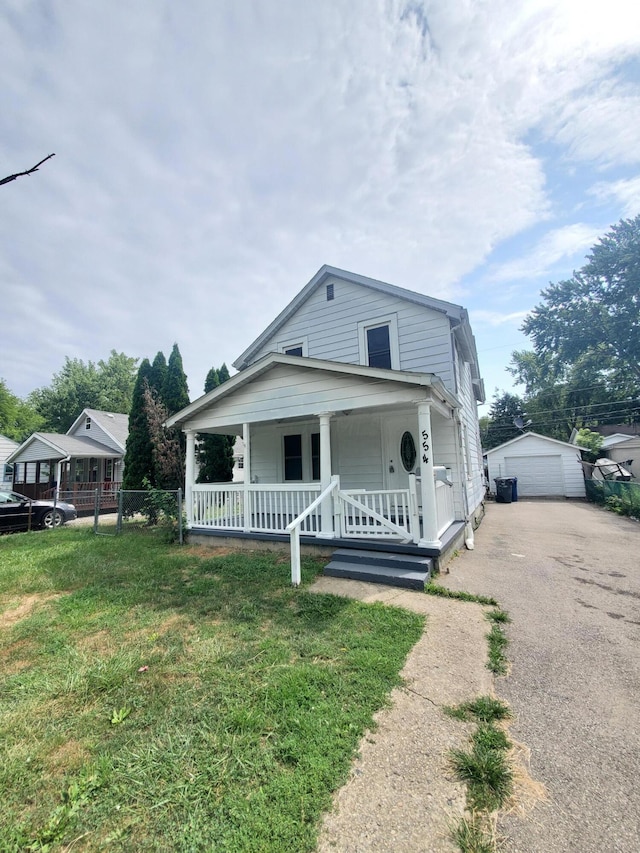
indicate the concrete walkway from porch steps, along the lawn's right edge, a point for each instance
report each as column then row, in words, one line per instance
column 401, row 795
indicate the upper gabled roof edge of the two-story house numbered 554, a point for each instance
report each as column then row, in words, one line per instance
column 455, row 312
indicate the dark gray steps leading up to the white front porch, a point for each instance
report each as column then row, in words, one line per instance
column 403, row 570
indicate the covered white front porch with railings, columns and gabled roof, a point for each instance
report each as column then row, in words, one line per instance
column 333, row 452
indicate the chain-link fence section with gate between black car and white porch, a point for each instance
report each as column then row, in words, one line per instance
column 156, row 510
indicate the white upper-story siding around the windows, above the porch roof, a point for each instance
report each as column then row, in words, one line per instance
column 331, row 328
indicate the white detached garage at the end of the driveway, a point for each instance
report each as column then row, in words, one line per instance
column 545, row 467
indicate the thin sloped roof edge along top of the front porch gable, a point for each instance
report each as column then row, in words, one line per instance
column 271, row 360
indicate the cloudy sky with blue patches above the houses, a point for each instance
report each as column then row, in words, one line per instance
column 211, row 156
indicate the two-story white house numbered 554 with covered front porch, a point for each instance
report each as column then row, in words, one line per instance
column 359, row 392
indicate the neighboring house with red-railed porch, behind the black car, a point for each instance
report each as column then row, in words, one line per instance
column 87, row 457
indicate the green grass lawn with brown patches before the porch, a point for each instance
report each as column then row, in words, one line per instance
column 163, row 698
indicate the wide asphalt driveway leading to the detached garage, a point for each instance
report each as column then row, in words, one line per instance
column 569, row 575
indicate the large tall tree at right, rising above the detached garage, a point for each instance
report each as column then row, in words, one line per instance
column 597, row 311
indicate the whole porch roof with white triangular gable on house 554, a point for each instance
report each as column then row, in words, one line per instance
column 288, row 387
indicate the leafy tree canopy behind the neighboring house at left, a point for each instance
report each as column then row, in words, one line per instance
column 107, row 385
